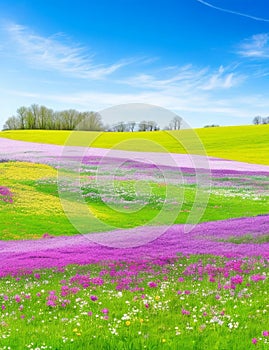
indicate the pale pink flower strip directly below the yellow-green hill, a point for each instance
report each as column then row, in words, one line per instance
column 48, row 154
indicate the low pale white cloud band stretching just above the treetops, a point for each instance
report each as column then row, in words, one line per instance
column 193, row 104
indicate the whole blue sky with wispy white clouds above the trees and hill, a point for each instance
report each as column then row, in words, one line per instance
column 204, row 60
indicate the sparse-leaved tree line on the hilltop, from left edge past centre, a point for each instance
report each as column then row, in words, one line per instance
column 41, row 117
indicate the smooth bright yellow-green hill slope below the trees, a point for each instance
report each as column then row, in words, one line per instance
column 242, row 143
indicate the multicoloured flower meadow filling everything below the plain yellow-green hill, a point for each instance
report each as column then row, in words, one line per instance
column 124, row 250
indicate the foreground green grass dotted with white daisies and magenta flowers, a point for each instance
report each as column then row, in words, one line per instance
column 195, row 312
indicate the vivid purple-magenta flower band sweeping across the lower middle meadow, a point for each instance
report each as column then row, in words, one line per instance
column 27, row 255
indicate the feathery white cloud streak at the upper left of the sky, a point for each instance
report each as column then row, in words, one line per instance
column 52, row 53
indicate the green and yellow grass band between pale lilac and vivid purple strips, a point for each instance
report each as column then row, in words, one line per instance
column 37, row 208
